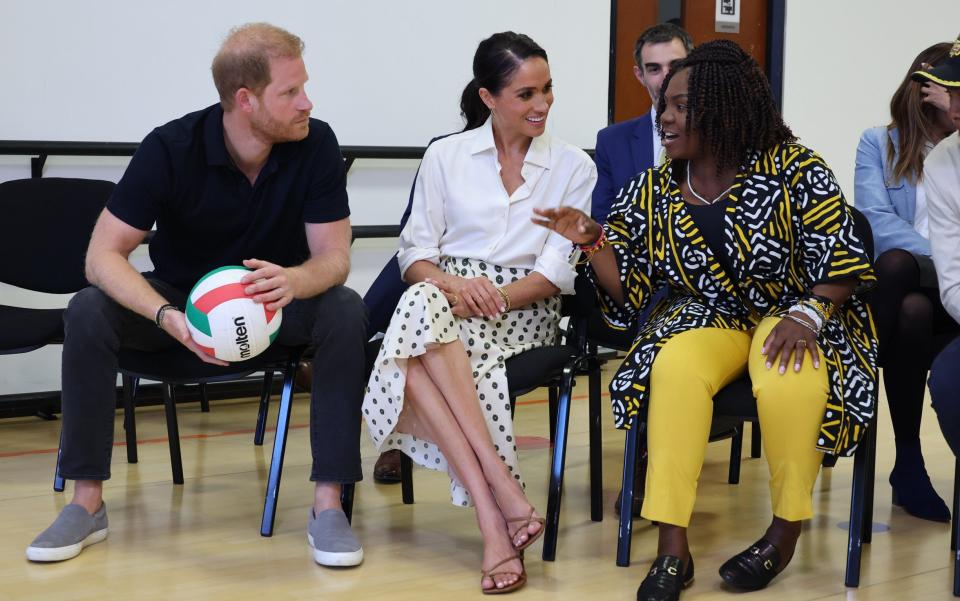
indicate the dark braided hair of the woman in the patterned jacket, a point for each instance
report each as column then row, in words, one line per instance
column 729, row 103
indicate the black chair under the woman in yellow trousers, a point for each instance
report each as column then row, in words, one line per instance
column 735, row 404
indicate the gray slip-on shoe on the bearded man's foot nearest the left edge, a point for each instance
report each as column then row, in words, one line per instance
column 73, row 530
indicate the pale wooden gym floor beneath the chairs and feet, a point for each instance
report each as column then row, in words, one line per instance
column 201, row 540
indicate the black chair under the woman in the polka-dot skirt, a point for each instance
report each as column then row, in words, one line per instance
column 553, row 367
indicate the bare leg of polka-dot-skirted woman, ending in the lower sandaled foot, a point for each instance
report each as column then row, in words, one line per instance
column 428, row 415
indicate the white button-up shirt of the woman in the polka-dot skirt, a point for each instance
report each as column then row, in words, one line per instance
column 461, row 208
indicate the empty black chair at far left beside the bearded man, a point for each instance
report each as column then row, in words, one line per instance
column 44, row 231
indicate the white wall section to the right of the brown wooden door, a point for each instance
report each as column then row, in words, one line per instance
column 843, row 61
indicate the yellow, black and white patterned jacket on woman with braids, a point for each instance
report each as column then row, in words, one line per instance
column 788, row 227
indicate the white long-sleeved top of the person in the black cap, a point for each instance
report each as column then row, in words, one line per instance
column 941, row 177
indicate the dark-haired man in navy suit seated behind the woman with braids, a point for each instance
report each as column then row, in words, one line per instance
column 630, row 147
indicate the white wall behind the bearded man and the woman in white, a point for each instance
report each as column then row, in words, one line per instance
column 383, row 72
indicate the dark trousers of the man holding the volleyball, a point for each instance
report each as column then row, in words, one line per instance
column 97, row 327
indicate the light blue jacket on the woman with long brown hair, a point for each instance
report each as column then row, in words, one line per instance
column 888, row 203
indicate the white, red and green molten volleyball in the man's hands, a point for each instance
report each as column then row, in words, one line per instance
column 224, row 321
